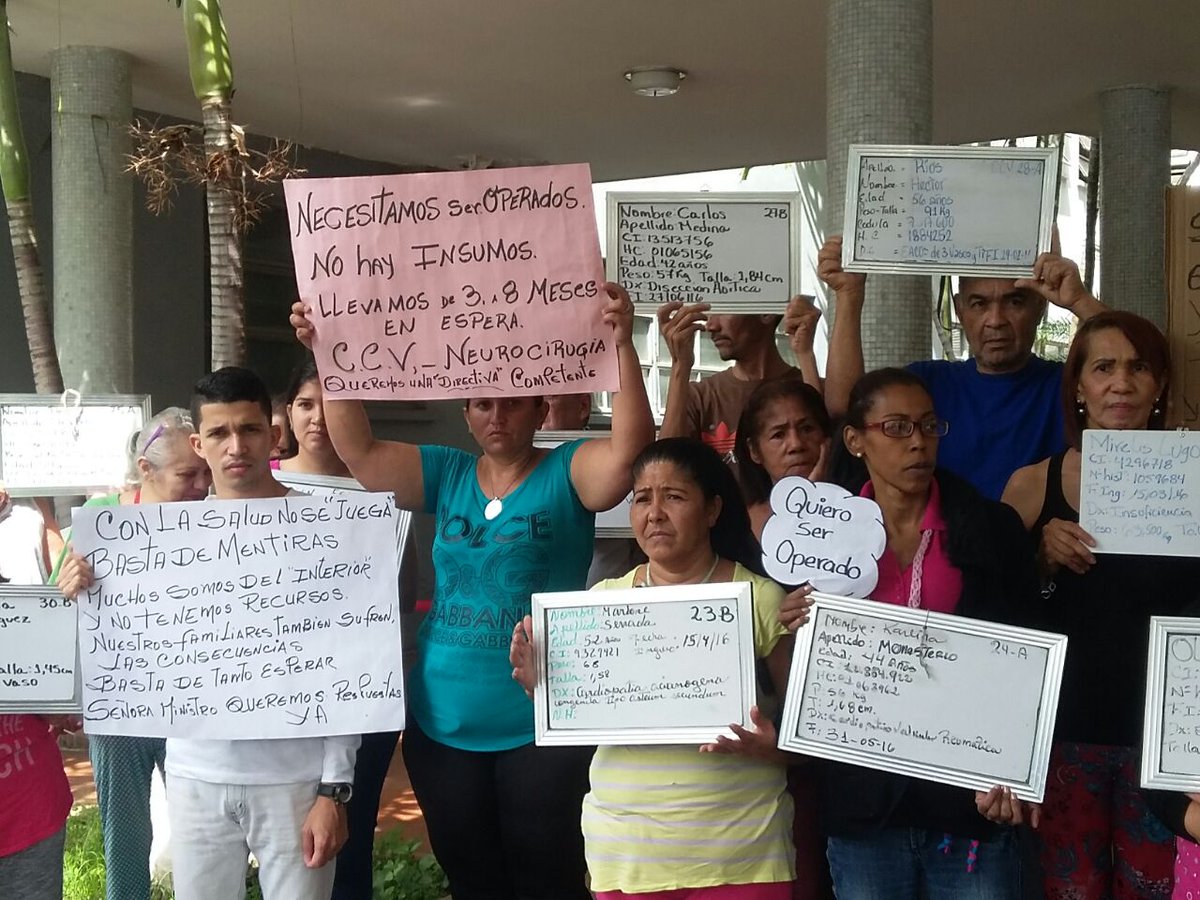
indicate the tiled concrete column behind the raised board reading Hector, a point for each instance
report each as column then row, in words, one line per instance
column 880, row 91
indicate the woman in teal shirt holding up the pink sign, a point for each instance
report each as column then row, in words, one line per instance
column 503, row 815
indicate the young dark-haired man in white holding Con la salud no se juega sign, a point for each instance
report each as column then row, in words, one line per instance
column 284, row 800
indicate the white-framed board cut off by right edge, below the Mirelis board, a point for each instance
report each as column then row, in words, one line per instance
column 1171, row 748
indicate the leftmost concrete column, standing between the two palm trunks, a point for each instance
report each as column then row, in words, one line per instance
column 92, row 107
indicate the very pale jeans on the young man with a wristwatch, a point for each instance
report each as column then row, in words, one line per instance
column 214, row 827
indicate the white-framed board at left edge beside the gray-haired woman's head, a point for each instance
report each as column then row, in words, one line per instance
column 53, row 447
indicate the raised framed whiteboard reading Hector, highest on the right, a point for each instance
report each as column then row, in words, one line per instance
column 949, row 211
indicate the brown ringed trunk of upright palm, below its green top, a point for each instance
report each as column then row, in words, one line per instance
column 225, row 247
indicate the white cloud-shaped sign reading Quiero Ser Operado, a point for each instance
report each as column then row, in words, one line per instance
column 825, row 536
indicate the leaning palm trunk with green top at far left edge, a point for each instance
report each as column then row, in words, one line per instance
column 15, row 179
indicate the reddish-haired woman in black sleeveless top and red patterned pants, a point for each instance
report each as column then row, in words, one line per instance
column 1099, row 838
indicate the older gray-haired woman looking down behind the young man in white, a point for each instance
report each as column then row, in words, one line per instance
column 164, row 469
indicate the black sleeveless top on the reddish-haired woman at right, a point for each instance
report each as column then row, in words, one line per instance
column 1106, row 615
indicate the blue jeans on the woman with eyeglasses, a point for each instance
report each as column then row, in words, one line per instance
column 917, row 865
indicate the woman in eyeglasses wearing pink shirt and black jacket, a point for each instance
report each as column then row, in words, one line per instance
column 950, row 550
